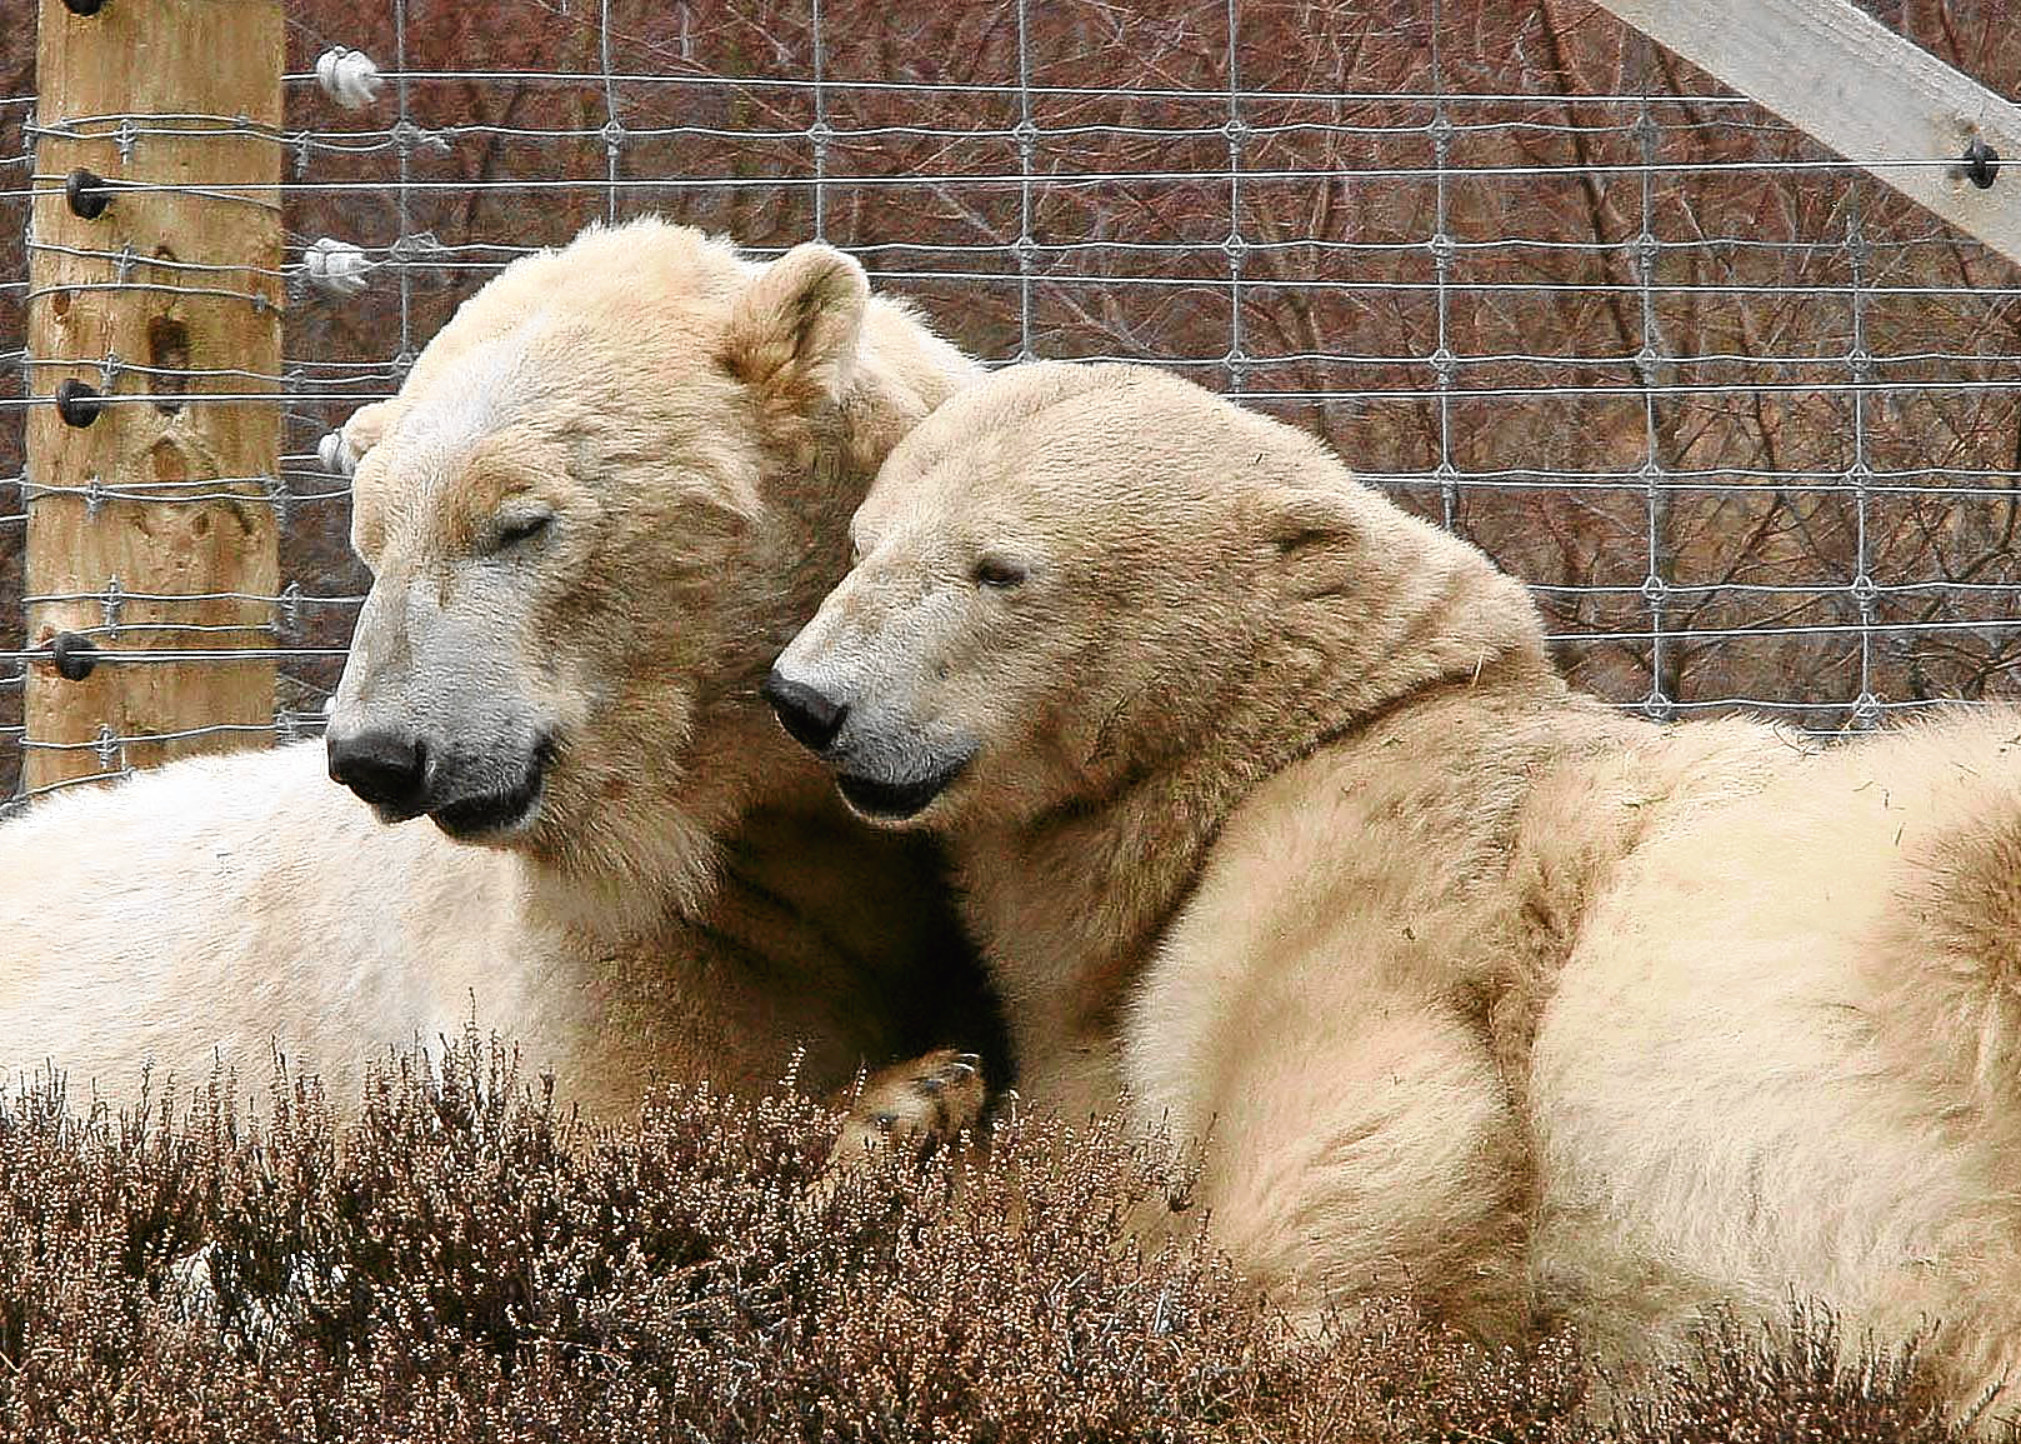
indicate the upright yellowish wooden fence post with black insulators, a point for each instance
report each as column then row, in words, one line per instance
column 163, row 60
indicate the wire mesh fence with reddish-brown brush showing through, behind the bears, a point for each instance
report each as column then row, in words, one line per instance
column 1743, row 420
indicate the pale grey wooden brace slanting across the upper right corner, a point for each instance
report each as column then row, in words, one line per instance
column 1860, row 90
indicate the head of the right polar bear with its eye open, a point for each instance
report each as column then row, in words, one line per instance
column 1076, row 577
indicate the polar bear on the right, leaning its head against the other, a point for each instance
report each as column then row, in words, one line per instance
column 1276, row 824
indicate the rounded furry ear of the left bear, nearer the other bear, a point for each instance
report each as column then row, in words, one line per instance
column 795, row 329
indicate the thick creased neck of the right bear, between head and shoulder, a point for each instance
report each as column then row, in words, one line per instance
column 1070, row 907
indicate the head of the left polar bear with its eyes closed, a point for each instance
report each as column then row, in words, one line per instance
column 609, row 490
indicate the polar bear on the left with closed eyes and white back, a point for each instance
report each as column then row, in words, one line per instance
column 607, row 494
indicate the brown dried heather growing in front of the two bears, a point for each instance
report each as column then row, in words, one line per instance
column 474, row 1263
